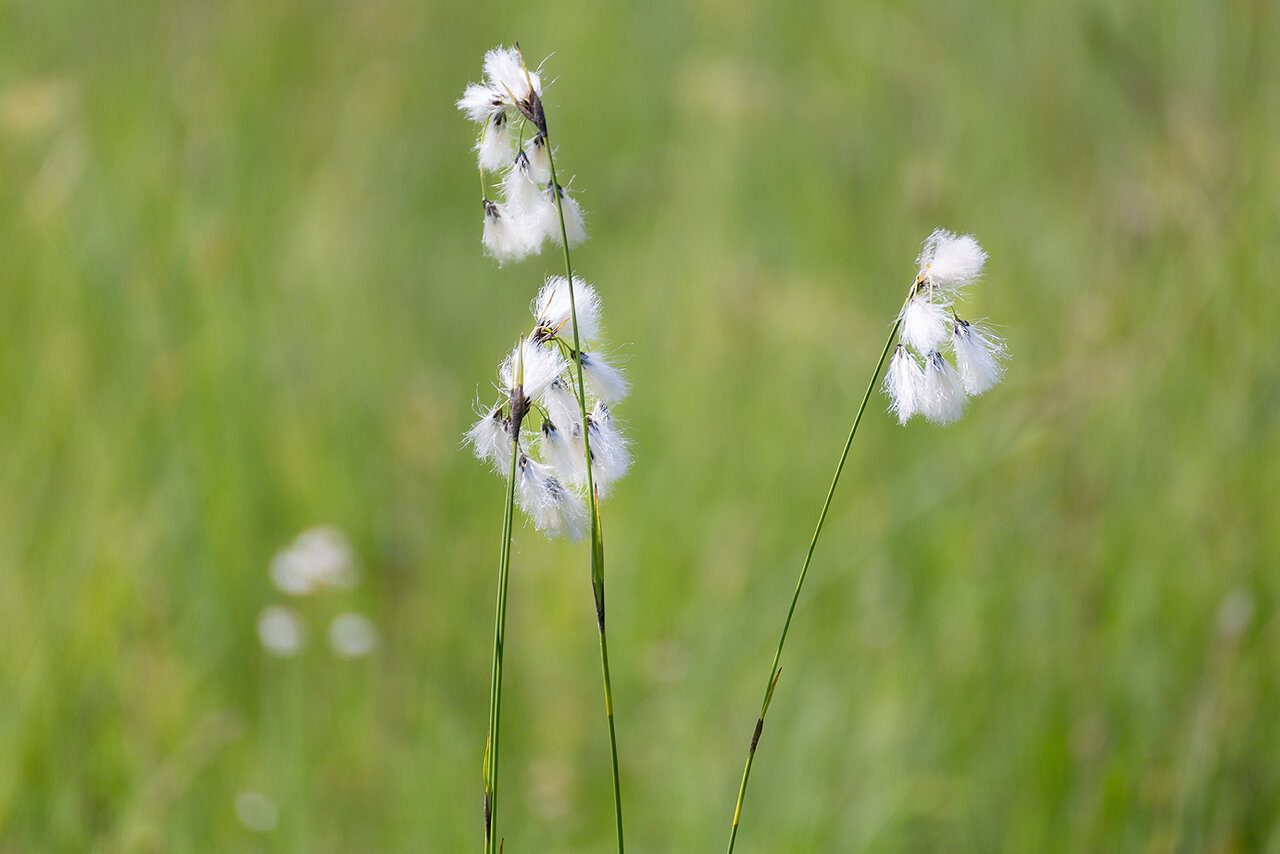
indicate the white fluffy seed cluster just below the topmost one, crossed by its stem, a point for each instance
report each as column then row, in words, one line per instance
column 551, row 486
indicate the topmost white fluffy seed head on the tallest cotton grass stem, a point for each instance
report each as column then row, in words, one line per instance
column 508, row 106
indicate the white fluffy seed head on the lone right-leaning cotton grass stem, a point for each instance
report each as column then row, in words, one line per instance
column 929, row 323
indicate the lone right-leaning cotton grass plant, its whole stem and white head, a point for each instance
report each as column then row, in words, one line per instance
column 921, row 381
